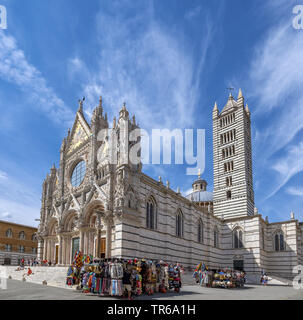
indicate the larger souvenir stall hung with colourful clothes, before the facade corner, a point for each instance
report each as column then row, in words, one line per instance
column 122, row 277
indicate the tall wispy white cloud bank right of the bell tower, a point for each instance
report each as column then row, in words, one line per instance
column 275, row 81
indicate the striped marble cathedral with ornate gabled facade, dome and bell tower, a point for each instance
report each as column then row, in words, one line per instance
column 113, row 210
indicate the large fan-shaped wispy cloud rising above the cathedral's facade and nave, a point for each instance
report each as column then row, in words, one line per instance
column 152, row 70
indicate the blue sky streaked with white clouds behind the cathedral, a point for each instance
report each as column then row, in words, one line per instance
column 170, row 61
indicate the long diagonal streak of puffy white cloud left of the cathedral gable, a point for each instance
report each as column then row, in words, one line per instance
column 15, row 68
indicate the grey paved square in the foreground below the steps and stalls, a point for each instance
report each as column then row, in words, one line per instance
column 18, row 290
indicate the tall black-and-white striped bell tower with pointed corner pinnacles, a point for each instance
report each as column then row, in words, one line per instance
column 233, row 183
